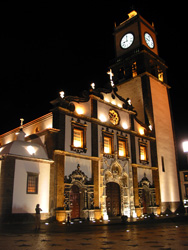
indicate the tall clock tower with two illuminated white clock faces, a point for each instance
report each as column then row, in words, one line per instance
column 140, row 74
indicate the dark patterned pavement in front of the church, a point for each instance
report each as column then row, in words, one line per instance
column 53, row 237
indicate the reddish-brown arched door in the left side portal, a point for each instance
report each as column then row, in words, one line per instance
column 75, row 202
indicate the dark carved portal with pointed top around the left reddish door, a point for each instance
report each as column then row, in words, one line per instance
column 79, row 195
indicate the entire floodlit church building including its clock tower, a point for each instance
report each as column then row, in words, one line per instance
column 108, row 153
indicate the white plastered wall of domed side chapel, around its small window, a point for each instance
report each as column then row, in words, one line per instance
column 26, row 203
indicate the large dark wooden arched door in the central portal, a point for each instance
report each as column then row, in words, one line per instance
column 113, row 202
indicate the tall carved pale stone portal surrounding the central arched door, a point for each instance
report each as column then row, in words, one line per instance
column 117, row 190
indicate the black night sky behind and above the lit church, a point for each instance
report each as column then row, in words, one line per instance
column 46, row 47
